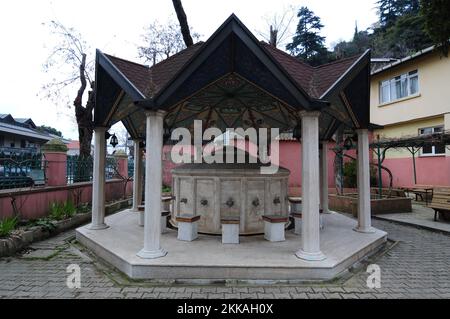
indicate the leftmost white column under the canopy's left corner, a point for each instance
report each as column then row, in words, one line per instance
column 98, row 180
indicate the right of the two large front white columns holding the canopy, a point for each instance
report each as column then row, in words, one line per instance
column 310, row 249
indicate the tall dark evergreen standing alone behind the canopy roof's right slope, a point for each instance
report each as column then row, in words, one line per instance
column 307, row 43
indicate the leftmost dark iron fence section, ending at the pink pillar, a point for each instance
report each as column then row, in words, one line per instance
column 21, row 170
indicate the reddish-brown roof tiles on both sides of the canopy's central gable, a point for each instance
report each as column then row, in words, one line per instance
column 313, row 80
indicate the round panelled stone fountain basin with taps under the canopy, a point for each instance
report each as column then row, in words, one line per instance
column 216, row 191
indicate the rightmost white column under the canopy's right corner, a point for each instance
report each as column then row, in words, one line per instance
column 363, row 172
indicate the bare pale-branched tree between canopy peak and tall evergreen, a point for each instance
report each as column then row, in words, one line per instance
column 279, row 26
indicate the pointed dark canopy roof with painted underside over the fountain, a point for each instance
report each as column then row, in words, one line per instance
column 217, row 80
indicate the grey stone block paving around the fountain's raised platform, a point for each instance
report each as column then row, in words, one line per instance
column 415, row 266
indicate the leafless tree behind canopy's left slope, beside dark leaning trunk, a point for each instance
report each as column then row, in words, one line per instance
column 162, row 41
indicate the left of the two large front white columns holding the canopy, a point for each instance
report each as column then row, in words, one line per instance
column 153, row 186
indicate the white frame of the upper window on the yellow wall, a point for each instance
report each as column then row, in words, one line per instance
column 391, row 85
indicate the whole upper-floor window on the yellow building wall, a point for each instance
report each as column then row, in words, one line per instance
column 399, row 87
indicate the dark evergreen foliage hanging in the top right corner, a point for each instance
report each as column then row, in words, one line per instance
column 436, row 14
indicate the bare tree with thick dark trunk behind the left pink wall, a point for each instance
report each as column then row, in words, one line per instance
column 68, row 60
